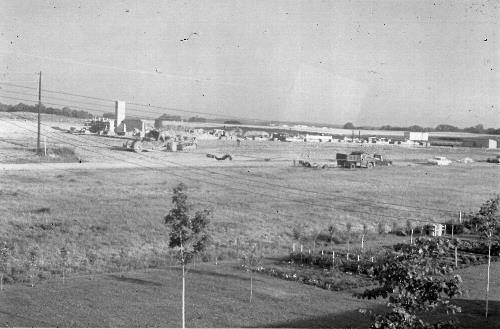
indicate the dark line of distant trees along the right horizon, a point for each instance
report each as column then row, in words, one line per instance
column 477, row 129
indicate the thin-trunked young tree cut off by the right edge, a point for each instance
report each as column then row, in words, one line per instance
column 487, row 220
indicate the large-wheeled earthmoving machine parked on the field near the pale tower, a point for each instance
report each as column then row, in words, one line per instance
column 156, row 140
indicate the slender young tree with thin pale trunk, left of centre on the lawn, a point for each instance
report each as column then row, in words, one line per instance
column 188, row 234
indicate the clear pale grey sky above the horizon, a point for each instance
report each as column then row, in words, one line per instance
column 366, row 62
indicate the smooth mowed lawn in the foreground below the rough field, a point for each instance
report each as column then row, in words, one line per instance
column 216, row 297
